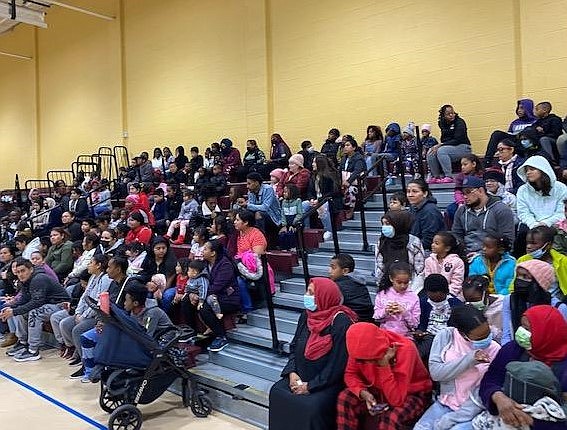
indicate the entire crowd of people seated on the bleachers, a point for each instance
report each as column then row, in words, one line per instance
column 469, row 303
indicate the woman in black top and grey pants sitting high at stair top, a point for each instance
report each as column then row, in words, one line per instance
column 454, row 145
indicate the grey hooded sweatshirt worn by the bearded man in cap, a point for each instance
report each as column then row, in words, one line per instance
column 472, row 226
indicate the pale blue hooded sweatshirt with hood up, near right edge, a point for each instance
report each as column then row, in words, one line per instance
column 533, row 206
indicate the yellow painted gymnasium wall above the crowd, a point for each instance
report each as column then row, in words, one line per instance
column 191, row 72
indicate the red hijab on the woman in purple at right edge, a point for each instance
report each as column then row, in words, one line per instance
column 549, row 334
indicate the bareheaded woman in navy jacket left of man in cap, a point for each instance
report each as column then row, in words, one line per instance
column 427, row 217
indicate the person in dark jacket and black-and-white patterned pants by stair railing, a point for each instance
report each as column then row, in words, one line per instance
column 352, row 165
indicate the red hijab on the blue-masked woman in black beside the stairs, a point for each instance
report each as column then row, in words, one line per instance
column 328, row 299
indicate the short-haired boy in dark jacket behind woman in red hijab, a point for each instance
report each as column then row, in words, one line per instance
column 353, row 287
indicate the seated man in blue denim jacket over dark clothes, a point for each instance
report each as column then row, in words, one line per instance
column 263, row 202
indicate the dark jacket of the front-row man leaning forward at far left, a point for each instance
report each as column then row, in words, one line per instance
column 39, row 290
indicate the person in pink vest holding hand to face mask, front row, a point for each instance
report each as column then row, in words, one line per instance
column 459, row 358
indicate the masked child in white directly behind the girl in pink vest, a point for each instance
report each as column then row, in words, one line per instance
column 475, row 290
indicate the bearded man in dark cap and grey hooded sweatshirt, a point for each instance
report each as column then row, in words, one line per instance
column 481, row 214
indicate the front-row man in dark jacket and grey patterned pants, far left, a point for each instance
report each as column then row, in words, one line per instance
column 40, row 297
